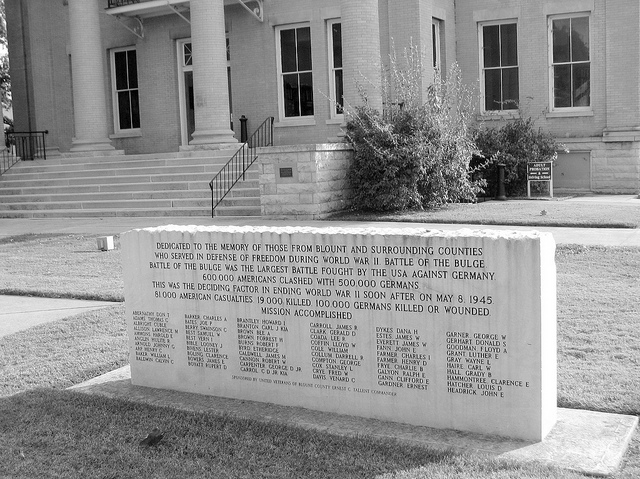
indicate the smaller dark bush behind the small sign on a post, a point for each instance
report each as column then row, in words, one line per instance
column 514, row 144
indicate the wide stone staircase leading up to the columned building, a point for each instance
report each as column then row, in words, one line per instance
column 169, row 184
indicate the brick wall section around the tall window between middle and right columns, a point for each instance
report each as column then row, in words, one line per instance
column 254, row 67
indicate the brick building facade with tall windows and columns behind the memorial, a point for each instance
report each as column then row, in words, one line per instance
column 154, row 76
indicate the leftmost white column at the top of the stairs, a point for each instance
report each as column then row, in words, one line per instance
column 87, row 67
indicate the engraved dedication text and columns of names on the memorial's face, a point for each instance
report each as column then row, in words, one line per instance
column 364, row 314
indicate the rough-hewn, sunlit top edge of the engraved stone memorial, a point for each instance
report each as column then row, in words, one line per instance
column 353, row 230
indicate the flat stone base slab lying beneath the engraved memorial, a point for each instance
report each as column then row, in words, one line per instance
column 589, row 442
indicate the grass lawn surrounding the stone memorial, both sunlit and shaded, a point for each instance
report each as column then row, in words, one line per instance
column 47, row 431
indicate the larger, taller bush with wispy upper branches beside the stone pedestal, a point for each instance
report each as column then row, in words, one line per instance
column 416, row 153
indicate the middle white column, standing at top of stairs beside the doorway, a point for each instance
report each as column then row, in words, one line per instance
column 210, row 82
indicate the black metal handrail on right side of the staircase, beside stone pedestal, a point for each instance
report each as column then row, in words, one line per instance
column 239, row 163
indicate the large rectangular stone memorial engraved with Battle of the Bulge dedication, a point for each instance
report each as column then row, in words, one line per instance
column 450, row 330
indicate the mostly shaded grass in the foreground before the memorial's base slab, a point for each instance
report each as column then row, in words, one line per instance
column 49, row 433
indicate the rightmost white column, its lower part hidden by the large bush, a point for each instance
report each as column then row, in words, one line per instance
column 361, row 52
